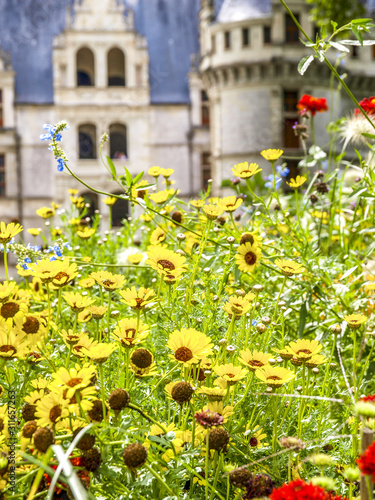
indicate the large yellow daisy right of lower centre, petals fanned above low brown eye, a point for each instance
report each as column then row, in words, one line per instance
column 189, row 346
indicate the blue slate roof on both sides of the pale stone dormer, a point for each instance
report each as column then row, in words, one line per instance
column 27, row 28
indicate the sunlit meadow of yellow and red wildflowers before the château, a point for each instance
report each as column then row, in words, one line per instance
column 213, row 348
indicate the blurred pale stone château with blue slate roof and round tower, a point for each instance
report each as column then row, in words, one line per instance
column 193, row 85
